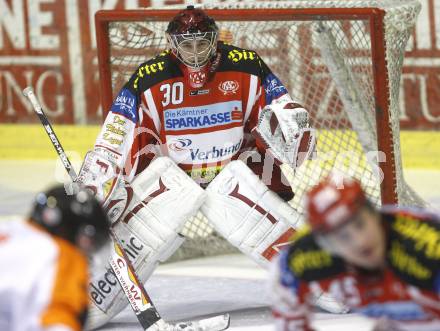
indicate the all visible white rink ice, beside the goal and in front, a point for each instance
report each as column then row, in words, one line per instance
column 201, row 287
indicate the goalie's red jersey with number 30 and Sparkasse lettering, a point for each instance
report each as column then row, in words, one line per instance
column 157, row 112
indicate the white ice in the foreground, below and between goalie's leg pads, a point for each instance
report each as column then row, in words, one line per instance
column 191, row 290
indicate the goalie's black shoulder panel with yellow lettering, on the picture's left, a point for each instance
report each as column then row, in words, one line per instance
column 154, row 71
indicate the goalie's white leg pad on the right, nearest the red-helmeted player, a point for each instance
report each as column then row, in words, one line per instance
column 250, row 216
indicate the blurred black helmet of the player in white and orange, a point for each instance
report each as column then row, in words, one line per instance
column 77, row 218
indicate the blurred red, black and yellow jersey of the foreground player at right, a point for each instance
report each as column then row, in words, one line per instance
column 407, row 291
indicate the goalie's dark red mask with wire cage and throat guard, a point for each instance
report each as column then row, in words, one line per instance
column 192, row 36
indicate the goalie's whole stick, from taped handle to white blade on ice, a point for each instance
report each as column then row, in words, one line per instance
column 137, row 296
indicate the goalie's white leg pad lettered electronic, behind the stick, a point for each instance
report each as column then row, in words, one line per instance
column 163, row 199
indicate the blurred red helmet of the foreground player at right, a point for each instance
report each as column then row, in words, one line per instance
column 332, row 203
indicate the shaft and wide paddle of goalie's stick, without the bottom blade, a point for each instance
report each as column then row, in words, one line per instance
column 130, row 284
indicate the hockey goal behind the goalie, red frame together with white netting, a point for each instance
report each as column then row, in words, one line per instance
column 341, row 59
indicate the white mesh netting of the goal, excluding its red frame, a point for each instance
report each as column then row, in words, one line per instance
column 326, row 64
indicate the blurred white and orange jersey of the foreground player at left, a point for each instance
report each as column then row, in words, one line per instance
column 43, row 281
